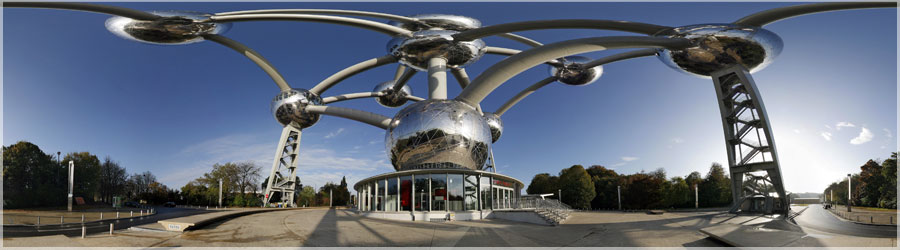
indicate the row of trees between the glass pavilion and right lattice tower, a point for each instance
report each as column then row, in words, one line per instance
column 597, row 187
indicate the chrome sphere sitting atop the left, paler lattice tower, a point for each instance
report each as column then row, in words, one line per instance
column 289, row 107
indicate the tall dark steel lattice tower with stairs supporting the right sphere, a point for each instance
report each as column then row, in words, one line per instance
column 749, row 143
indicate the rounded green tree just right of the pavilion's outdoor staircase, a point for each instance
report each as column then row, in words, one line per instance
column 577, row 188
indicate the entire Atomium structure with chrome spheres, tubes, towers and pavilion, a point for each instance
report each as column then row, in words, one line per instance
column 441, row 146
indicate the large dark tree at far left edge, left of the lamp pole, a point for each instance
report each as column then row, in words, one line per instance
column 30, row 177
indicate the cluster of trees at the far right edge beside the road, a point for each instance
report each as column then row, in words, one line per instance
column 874, row 186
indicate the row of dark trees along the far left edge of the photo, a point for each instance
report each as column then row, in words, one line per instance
column 32, row 178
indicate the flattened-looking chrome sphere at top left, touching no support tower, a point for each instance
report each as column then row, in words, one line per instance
column 176, row 27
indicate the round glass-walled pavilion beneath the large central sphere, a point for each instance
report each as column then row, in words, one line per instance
column 438, row 192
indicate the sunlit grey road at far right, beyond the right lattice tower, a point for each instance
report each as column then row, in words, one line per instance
column 816, row 217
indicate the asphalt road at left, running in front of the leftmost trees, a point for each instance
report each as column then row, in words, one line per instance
column 162, row 213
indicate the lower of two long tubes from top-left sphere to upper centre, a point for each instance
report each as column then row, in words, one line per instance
column 355, row 22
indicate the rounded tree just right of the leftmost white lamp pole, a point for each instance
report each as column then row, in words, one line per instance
column 87, row 174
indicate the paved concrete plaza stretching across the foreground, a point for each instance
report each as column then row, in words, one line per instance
column 336, row 227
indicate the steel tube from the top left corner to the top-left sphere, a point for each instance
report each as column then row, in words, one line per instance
column 97, row 8
